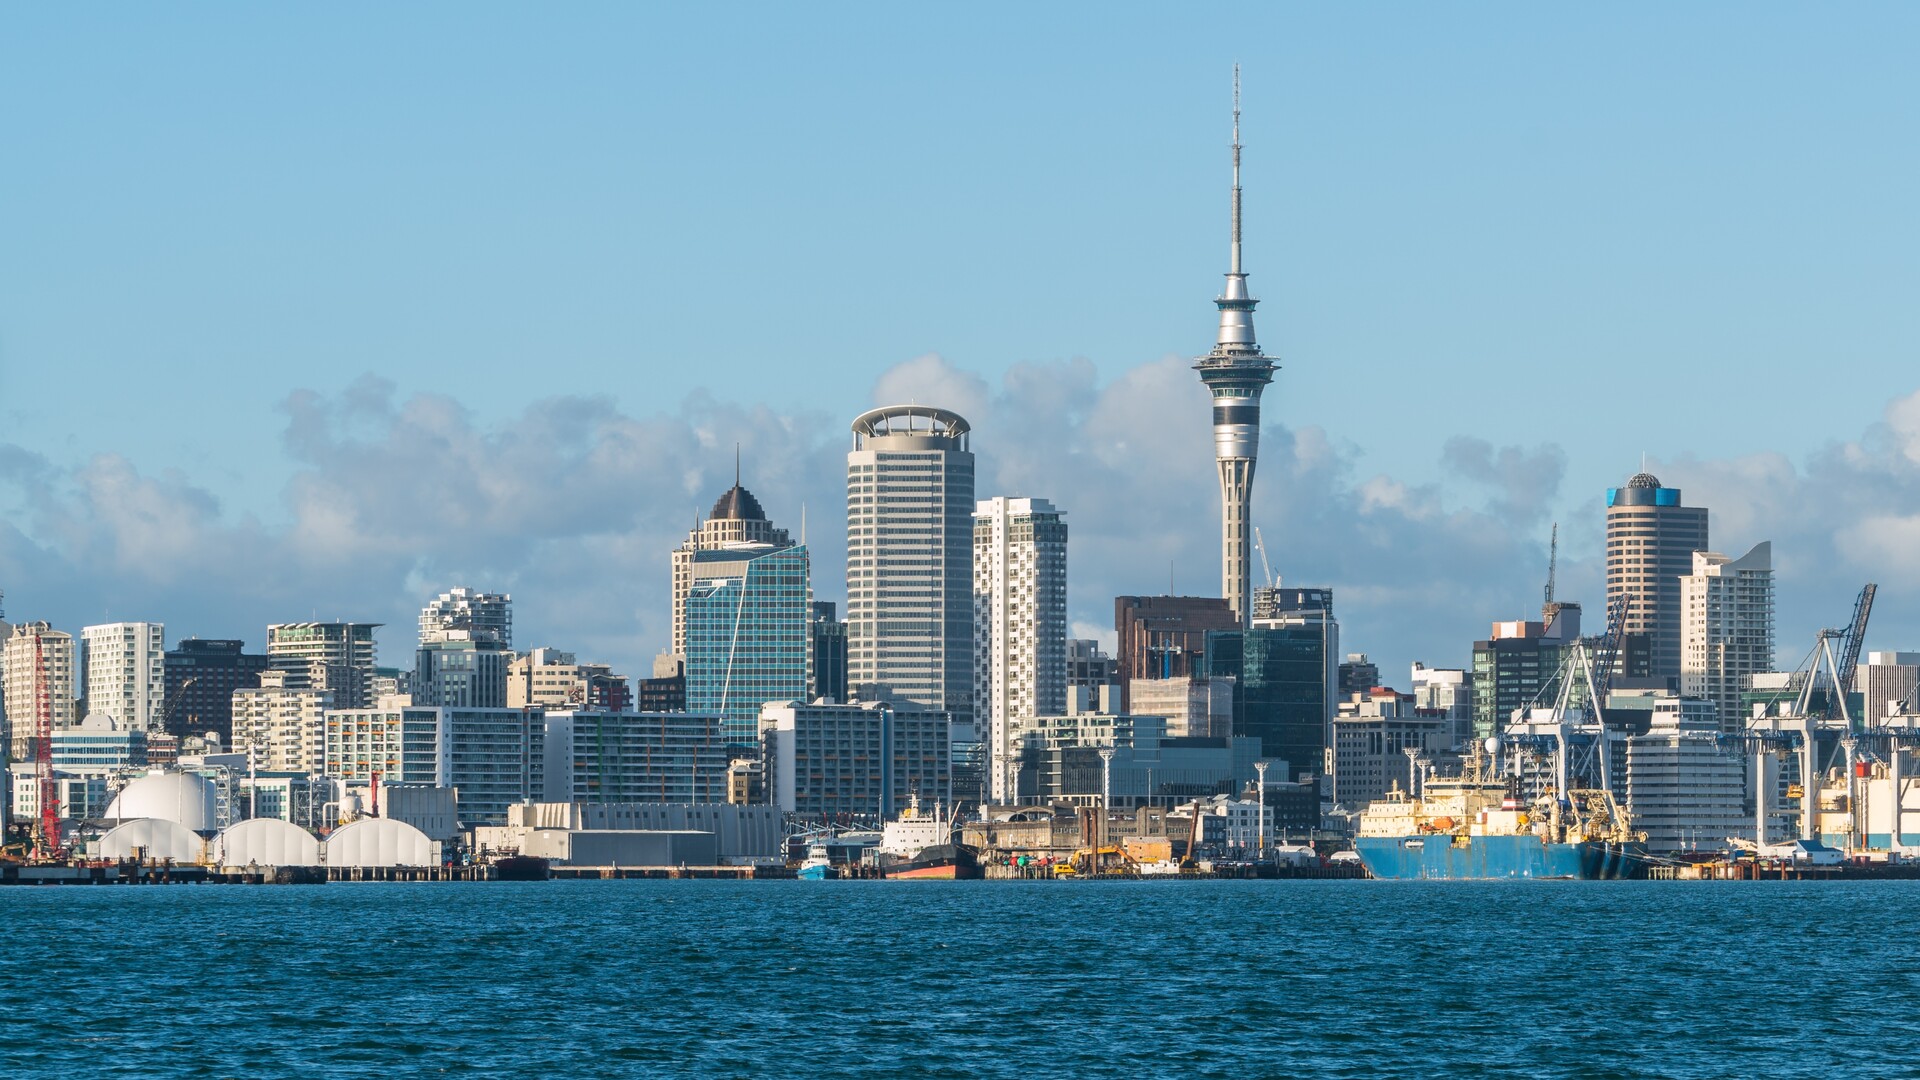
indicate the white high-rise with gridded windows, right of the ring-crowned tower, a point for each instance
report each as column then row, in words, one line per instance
column 1020, row 627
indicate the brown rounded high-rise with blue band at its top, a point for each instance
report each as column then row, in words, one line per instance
column 1650, row 549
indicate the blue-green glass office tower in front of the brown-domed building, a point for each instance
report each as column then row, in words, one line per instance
column 750, row 637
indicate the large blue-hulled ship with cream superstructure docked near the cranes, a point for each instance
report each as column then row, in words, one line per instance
column 1474, row 827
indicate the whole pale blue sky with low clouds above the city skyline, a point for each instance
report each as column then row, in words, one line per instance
column 322, row 312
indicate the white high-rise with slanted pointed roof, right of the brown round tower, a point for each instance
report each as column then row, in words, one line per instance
column 1727, row 622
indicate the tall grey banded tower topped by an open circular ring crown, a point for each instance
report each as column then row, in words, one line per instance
column 911, row 560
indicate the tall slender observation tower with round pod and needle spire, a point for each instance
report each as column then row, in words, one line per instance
column 1236, row 372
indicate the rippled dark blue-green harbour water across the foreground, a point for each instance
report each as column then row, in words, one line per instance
column 963, row 979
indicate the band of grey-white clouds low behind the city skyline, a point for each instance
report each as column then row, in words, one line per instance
column 575, row 504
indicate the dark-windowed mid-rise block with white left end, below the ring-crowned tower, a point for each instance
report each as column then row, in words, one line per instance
column 853, row 762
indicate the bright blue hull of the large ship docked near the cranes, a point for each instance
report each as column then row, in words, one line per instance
column 1497, row 858
